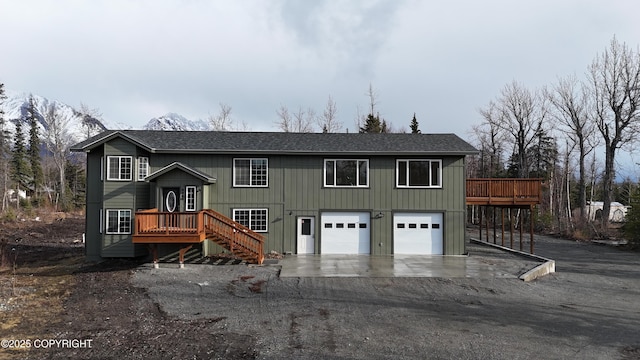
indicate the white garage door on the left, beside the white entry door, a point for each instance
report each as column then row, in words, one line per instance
column 345, row 233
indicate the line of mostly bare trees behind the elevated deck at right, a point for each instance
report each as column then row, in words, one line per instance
column 554, row 133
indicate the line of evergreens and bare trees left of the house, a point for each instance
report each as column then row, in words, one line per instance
column 37, row 169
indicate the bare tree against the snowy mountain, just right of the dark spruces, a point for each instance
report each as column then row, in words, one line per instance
column 58, row 141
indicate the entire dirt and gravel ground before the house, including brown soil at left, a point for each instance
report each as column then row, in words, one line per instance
column 589, row 309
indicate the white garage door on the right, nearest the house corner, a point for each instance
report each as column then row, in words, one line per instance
column 417, row 233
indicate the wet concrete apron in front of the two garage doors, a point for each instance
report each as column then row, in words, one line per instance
column 482, row 262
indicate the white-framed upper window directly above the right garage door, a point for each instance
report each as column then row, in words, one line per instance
column 421, row 173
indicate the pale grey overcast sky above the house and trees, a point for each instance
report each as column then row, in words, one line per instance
column 134, row 60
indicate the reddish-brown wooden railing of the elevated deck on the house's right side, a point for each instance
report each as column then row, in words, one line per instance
column 504, row 192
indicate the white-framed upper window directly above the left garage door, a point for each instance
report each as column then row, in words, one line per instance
column 346, row 172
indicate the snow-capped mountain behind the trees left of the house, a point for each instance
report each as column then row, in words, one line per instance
column 75, row 127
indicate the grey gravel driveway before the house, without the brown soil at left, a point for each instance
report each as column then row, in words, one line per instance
column 588, row 309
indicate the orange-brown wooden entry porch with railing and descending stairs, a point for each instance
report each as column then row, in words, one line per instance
column 153, row 227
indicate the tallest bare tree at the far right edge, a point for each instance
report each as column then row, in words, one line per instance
column 614, row 77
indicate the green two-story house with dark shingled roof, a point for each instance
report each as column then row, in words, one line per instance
column 305, row 193
